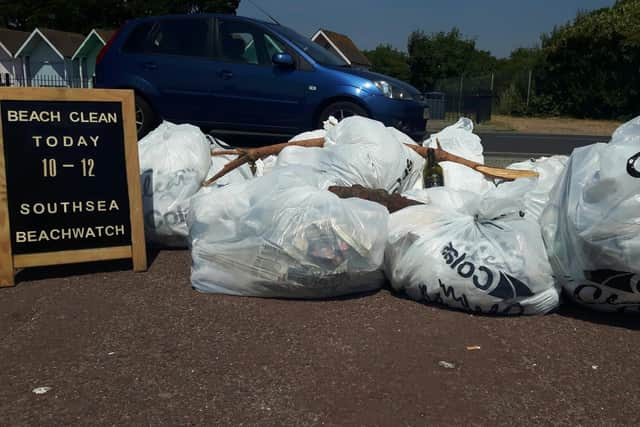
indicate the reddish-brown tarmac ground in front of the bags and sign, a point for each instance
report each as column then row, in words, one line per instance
column 121, row 348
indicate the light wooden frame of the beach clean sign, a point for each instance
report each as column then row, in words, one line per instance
column 137, row 249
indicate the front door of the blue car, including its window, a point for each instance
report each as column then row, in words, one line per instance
column 255, row 94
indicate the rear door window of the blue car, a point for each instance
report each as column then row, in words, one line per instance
column 184, row 37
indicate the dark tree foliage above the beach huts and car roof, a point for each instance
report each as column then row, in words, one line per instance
column 82, row 15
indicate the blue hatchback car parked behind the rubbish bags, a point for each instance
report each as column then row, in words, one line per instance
column 236, row 75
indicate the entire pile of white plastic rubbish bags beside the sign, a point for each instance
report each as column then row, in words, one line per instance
column 273, row 228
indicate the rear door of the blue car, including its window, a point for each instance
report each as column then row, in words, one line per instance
column 174, row 57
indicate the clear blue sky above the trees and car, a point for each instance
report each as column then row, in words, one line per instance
column 498, row 26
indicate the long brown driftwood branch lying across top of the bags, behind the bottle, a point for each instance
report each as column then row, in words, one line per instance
column 251, row 155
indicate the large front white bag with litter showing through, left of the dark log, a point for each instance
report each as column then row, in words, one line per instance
column 284, row 236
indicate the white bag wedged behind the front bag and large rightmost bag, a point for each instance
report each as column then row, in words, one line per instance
column 549, row 170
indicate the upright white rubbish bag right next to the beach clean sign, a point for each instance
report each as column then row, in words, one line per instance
column 174, row 160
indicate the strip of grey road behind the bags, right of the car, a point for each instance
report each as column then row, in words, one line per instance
column 534, row 145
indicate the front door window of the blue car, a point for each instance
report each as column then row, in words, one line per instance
column 246, row 43
